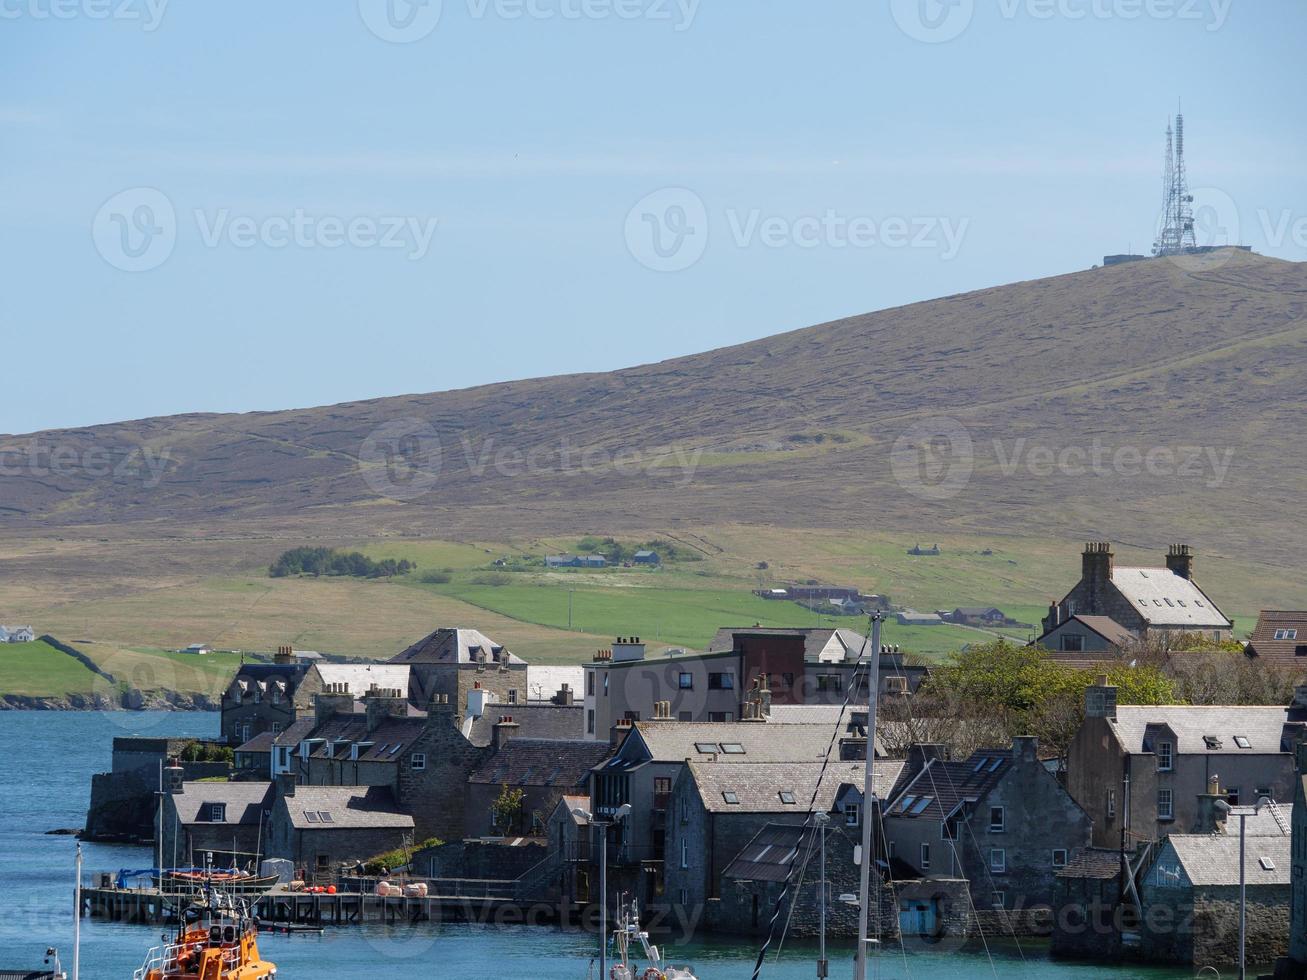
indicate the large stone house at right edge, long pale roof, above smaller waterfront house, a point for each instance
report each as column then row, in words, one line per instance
column 1140, row 770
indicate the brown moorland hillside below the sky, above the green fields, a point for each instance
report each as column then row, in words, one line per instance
column 795, row 429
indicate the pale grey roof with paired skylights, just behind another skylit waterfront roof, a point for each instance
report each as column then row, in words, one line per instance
column 679, row 742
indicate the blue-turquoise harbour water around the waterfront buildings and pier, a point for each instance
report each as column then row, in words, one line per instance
column 49, row 760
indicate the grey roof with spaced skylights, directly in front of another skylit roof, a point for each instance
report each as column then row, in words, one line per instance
column 757, row 787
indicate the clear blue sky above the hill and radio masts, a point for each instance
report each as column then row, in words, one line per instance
column 229, row 207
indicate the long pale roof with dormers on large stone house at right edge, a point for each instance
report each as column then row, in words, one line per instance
column 1136, row 727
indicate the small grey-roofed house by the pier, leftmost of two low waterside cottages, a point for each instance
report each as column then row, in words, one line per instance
column 227, row 820
